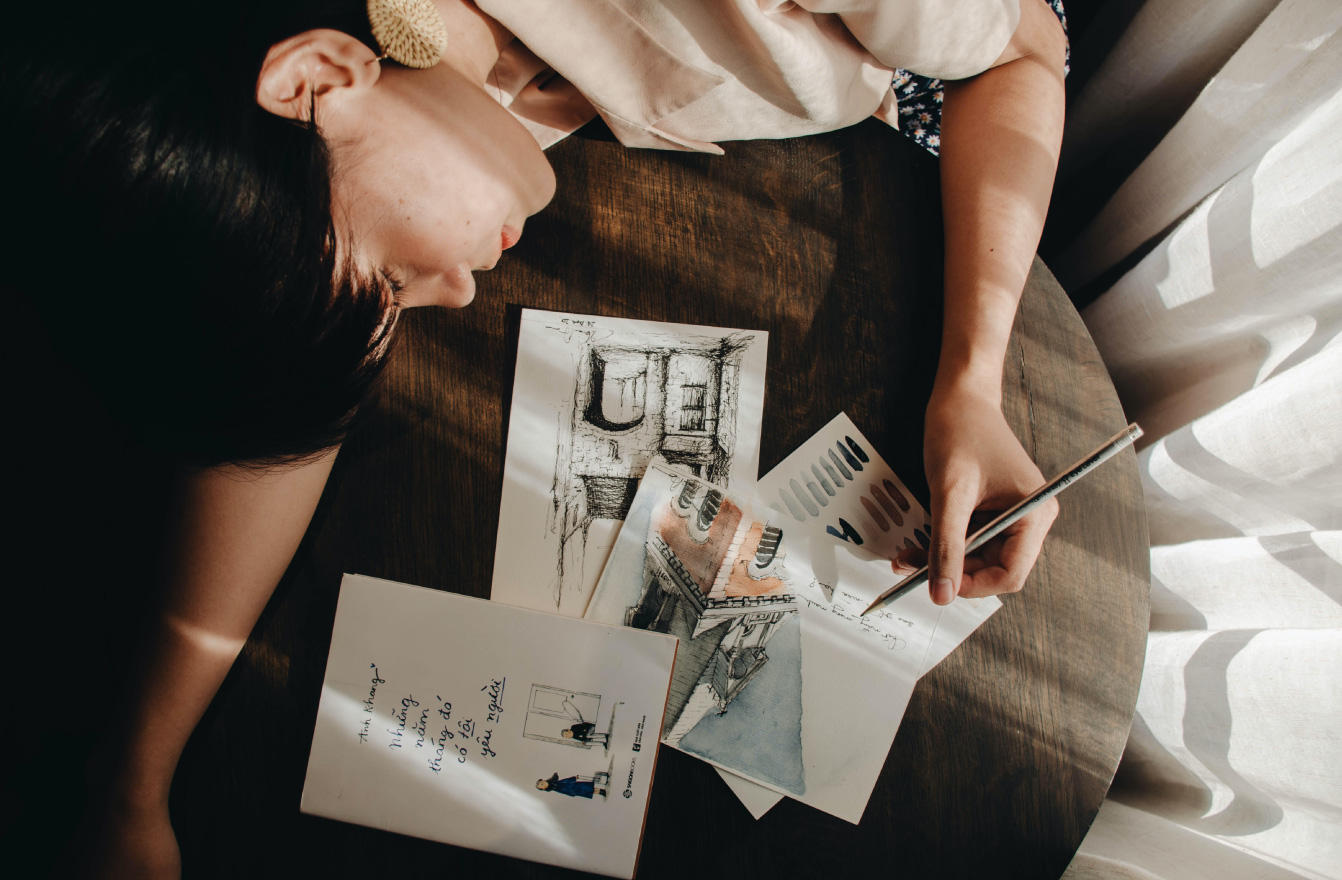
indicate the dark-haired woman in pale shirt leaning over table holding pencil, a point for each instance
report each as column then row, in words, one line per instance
column 256, row 207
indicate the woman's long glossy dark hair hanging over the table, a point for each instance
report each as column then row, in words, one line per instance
column 180, row 239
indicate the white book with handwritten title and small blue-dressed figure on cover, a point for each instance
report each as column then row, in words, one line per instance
column 442, row 716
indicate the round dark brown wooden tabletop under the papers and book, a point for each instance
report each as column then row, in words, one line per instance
column 833, row 245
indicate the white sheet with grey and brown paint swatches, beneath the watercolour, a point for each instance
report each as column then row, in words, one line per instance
column 838, row 481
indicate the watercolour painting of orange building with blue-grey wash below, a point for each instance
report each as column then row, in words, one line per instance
column 717, row 580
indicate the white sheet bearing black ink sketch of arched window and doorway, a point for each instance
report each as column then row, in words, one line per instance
column 594, row 400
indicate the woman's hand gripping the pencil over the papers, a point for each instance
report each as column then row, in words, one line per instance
column 976, row 469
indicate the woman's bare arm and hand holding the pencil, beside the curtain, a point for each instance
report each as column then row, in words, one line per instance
column 1002, row 133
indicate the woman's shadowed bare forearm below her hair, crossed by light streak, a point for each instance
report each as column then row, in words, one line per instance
column 237, row 532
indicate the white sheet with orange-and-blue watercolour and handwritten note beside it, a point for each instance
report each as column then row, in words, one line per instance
column 776, row 669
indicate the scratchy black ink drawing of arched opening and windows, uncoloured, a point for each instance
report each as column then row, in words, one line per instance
column 637, row 396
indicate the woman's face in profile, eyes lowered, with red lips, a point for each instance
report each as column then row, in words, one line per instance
column 433, row 180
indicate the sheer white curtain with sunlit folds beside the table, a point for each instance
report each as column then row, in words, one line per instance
column 1226, row 343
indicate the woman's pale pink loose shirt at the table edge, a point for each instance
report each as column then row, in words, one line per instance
column 686, row 74
